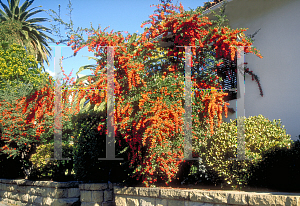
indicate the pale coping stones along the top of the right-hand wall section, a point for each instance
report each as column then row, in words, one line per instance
column 213, row 197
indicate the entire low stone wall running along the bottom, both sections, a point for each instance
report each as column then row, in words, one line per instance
column 32, row 193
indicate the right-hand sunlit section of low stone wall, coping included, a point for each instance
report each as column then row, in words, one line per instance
column 140, row 196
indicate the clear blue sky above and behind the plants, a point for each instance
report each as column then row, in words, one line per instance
column 120, row 15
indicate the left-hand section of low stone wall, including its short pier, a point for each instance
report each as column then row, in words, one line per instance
column 34, row 193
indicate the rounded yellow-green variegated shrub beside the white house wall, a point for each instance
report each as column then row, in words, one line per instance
column 220, row 149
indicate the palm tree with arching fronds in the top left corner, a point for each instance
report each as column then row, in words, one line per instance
column 31, row 34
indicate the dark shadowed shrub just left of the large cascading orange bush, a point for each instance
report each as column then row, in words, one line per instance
column 89, row 145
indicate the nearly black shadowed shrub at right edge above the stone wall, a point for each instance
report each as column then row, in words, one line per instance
column 279, row 169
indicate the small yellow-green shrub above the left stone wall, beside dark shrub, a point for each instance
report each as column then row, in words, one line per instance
column 52, row 169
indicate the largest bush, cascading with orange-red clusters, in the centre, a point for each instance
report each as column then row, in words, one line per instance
column 149, row 87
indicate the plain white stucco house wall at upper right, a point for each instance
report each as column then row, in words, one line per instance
column 279, row 70
